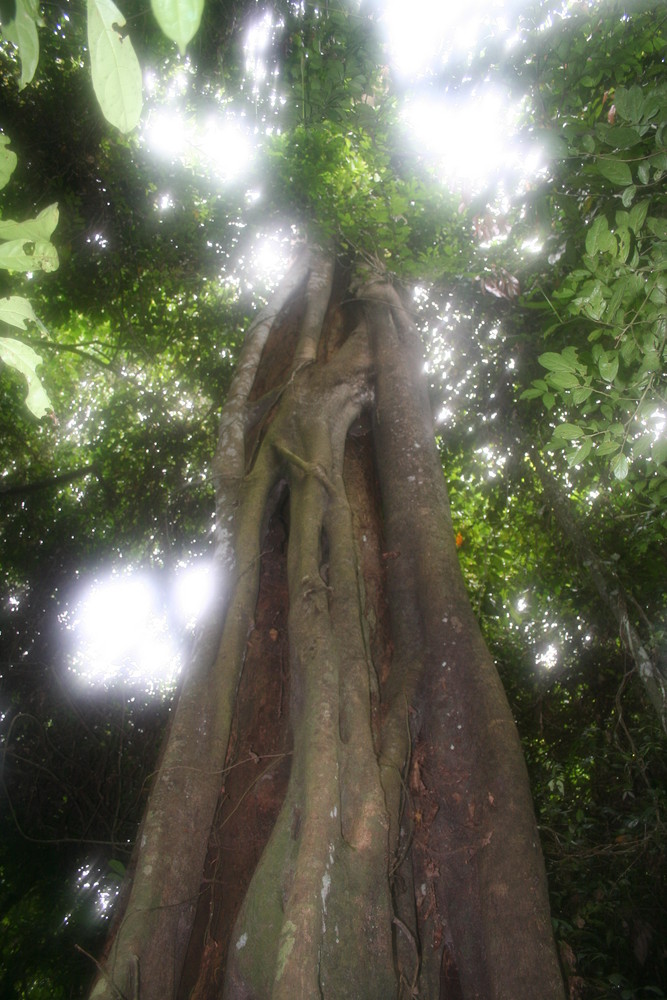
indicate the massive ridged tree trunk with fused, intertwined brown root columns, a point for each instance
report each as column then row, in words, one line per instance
column 342, row 809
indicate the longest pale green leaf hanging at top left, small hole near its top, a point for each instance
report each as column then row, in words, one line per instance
column 114, row 64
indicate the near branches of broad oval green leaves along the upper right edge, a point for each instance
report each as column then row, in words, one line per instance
column 617, row 299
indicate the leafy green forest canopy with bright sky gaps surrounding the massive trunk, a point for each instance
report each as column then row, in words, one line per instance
column 139, row 235
